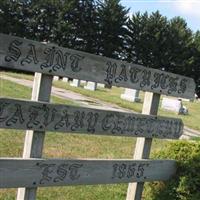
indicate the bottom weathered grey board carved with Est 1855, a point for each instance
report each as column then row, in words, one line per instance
column 42, row 173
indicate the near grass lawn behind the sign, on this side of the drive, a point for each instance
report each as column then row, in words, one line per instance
column 59, row 145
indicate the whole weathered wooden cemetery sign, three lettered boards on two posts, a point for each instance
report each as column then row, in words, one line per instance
column 38, row 116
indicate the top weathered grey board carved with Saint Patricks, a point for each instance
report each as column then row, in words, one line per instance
column 27, row 55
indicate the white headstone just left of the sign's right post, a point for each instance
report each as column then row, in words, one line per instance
column 131, row 95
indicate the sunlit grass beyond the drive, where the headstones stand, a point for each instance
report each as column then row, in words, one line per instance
column 113, row 96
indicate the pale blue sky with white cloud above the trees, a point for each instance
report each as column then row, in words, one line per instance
column 187, row 9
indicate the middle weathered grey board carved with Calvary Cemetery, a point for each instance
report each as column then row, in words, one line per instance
column 40, row 116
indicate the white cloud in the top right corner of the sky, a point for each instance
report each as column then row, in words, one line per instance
column 188, row 7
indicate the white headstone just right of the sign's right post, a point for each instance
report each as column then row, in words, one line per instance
column 172, row 104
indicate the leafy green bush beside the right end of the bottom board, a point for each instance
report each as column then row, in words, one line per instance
column 185, row 185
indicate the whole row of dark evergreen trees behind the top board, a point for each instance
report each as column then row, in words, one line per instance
column 105, row 27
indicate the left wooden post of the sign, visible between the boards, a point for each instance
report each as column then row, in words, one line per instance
column 34, row 140
